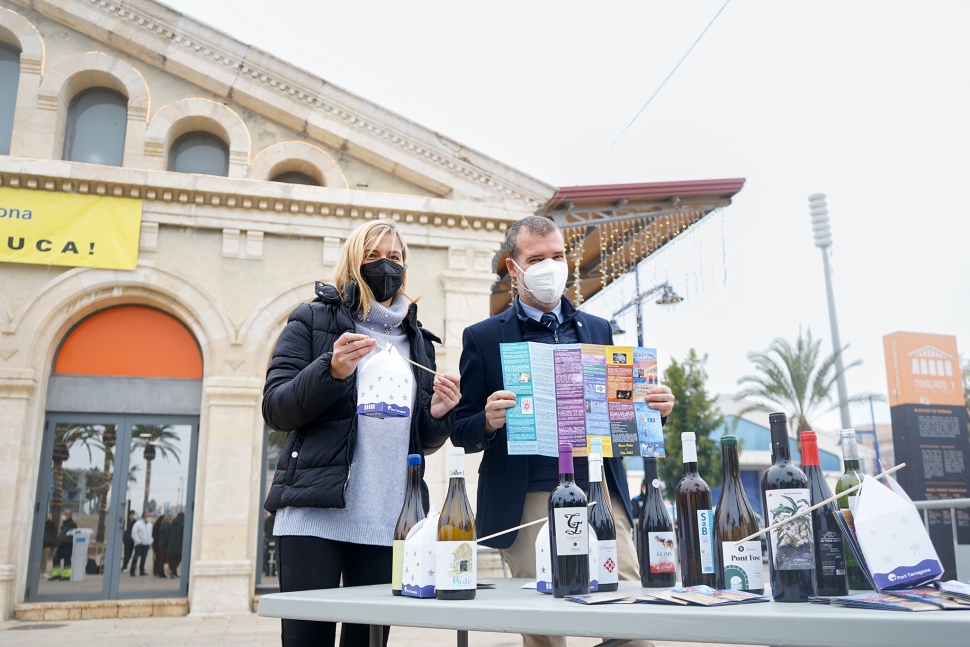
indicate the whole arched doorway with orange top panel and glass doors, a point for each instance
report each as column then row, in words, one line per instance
column 120, row 440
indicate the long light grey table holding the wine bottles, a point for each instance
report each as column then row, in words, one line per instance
column 511, row 609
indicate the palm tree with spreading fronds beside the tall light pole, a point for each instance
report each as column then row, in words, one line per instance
column 797, row 380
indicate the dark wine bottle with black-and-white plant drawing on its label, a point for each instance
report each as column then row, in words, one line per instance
column 791, row 547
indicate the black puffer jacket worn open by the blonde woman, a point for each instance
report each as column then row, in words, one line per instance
column 320, row 411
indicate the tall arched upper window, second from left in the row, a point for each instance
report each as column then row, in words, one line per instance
column 96, row 121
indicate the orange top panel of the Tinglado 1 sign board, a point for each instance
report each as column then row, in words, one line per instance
column 923, row 369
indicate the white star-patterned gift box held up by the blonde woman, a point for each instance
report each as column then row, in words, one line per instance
column 384, row 385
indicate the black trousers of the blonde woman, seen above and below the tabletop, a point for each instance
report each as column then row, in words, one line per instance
column 307, row 563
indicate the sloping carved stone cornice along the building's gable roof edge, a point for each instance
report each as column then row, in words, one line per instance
column 171, row 29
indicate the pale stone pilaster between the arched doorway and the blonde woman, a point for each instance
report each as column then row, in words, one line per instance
column 223, row 546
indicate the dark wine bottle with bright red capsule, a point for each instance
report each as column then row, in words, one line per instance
column 829, row 551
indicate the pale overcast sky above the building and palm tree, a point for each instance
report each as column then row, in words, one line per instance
column 865, row 101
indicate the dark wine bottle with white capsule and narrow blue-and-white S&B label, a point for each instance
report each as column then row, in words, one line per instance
column 695, row 520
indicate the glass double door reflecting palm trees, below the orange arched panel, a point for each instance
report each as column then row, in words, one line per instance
column 100, row 474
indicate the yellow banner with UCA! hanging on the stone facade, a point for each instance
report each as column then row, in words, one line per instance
column 64, row 229
